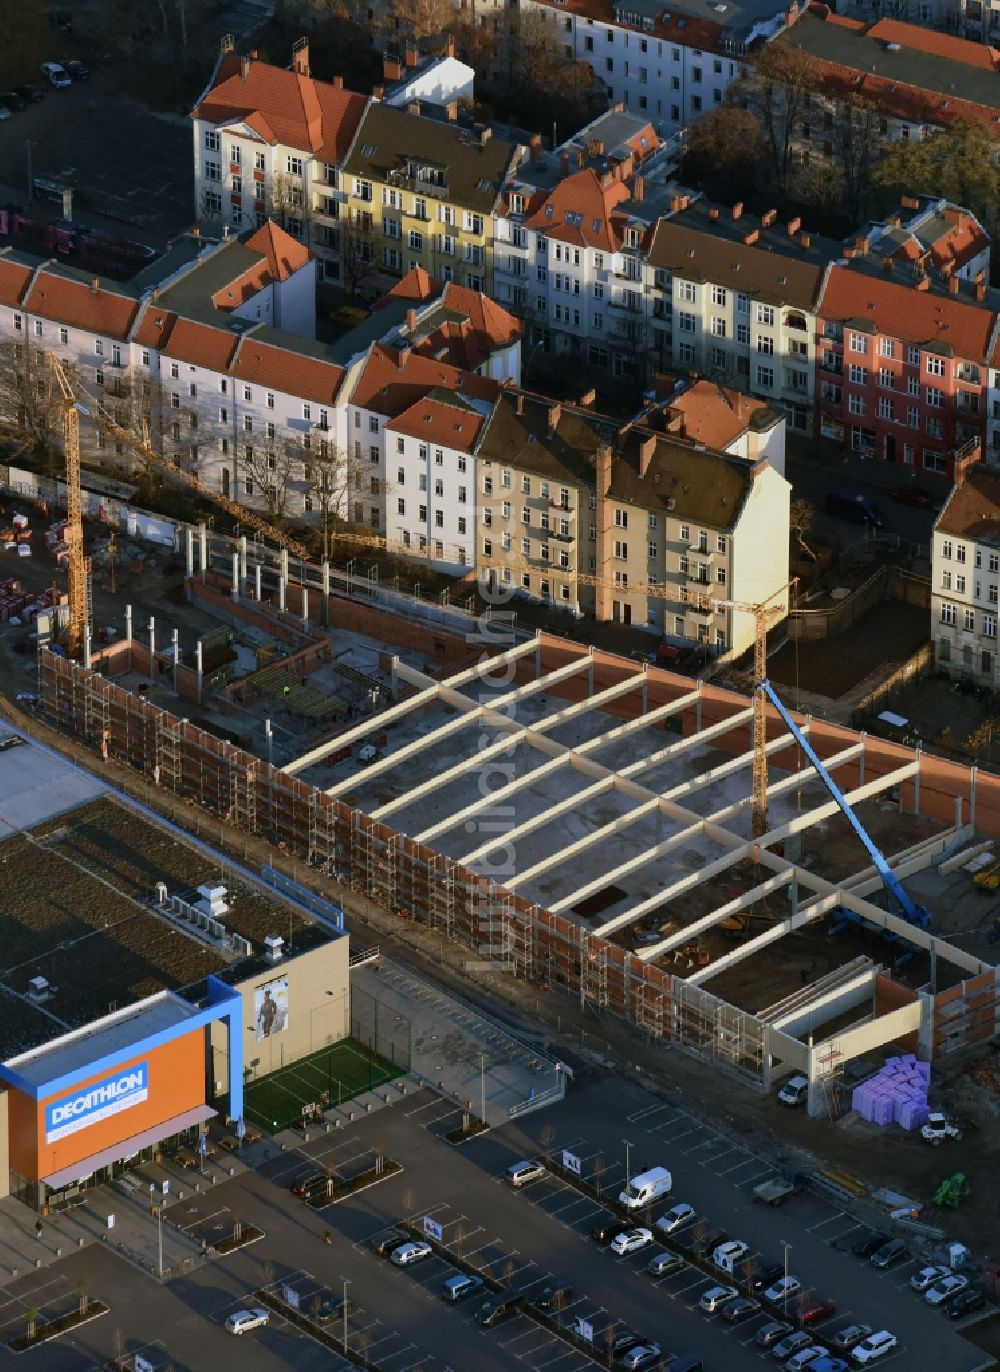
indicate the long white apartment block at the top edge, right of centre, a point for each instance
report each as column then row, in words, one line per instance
column 670, row 67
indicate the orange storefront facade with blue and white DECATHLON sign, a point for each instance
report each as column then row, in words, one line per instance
column 157, row 1086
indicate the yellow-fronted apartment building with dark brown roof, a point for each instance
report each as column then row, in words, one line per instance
column 423, row 193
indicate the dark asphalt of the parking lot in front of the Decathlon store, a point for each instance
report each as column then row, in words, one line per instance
column 522, row 1238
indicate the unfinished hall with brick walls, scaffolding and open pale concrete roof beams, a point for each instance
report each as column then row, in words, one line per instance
column 585, row 823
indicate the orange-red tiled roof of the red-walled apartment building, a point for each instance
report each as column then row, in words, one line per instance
column 899, row 311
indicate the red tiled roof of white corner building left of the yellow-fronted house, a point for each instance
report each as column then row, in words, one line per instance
column 285, row 108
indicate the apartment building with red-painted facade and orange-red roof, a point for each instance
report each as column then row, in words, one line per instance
column 905, row 362
